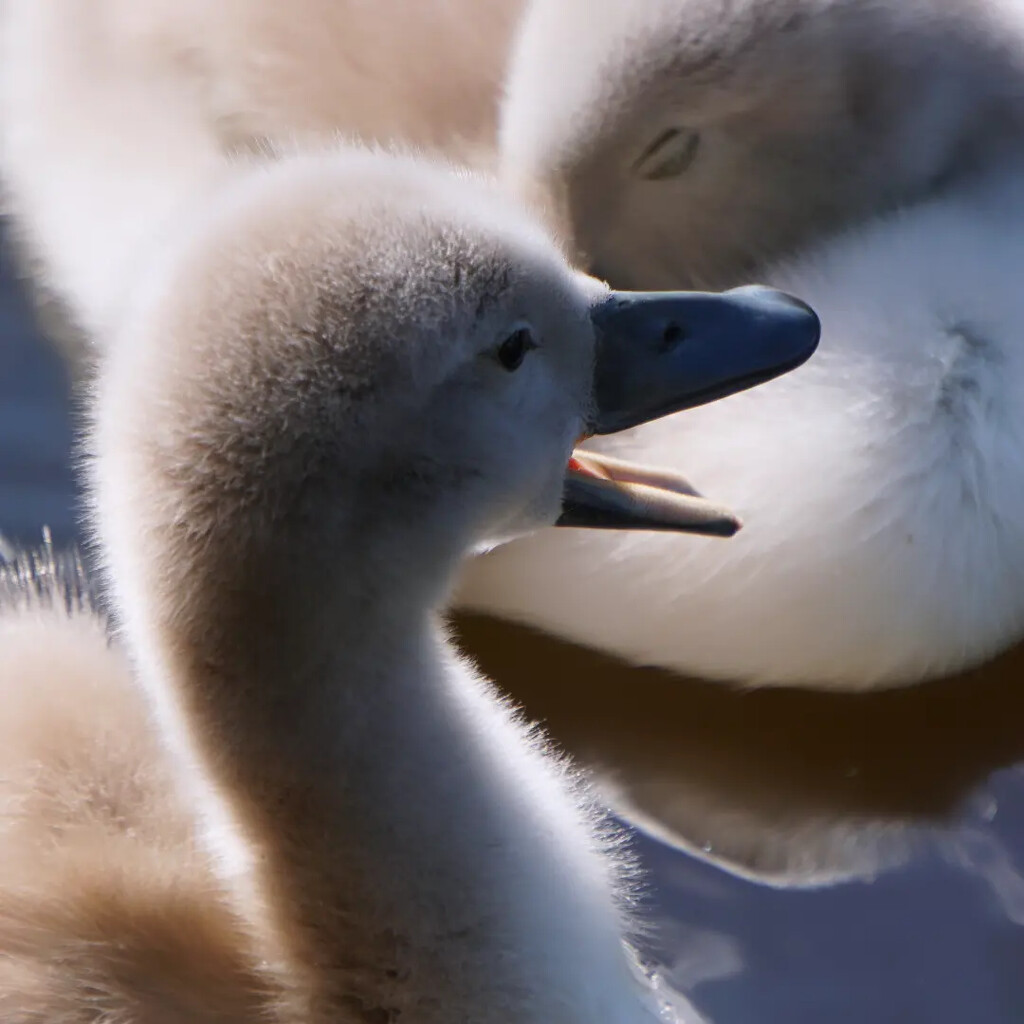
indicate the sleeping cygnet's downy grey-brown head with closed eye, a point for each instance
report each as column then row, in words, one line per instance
column 684, row 144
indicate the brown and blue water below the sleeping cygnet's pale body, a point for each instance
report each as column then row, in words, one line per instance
column 808, row 797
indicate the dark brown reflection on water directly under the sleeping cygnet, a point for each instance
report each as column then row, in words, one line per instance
column 739, row 772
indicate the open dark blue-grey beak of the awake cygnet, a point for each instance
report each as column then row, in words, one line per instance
column 660, row 353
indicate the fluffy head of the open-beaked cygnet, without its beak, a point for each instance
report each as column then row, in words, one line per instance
column 352, row 335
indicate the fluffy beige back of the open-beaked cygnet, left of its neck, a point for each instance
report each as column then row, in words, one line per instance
column 110, row 910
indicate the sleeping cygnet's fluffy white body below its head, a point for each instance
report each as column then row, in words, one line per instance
column 881, row 486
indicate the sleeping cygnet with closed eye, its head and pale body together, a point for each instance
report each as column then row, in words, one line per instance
column 869, row 157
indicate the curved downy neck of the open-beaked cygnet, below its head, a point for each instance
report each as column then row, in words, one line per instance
column 408, row 848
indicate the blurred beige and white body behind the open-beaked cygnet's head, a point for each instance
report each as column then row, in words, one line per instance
column 107, row 106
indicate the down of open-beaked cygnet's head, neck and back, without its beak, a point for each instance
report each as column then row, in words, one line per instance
column 301, row 432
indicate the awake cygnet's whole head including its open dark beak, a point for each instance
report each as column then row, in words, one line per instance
column 366, row 352
